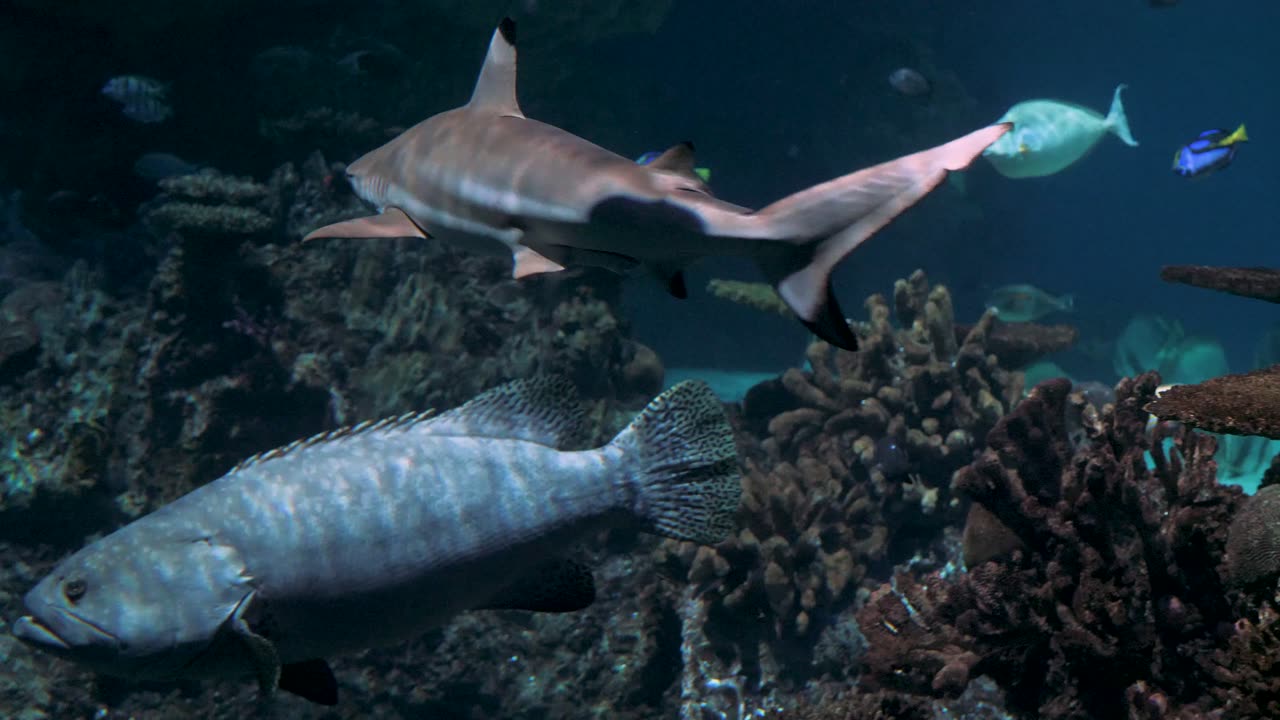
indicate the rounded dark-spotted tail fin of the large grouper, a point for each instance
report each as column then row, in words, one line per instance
column 684, row 481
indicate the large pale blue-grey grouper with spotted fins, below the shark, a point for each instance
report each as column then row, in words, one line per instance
column 368, row 536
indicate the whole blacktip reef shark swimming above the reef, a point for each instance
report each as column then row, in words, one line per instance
column 484, row 176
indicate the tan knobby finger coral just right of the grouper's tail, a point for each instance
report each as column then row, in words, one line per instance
column 821, row 508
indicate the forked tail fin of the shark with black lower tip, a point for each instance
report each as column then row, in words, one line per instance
column 825, row 224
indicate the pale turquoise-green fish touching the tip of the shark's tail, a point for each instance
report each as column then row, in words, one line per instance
column 1050, row 135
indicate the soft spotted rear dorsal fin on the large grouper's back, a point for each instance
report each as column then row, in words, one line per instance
column 543, row 409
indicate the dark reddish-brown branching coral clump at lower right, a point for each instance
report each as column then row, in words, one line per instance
column 1116, row 599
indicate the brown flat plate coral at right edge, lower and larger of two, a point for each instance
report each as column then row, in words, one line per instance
column 1245, row 404
